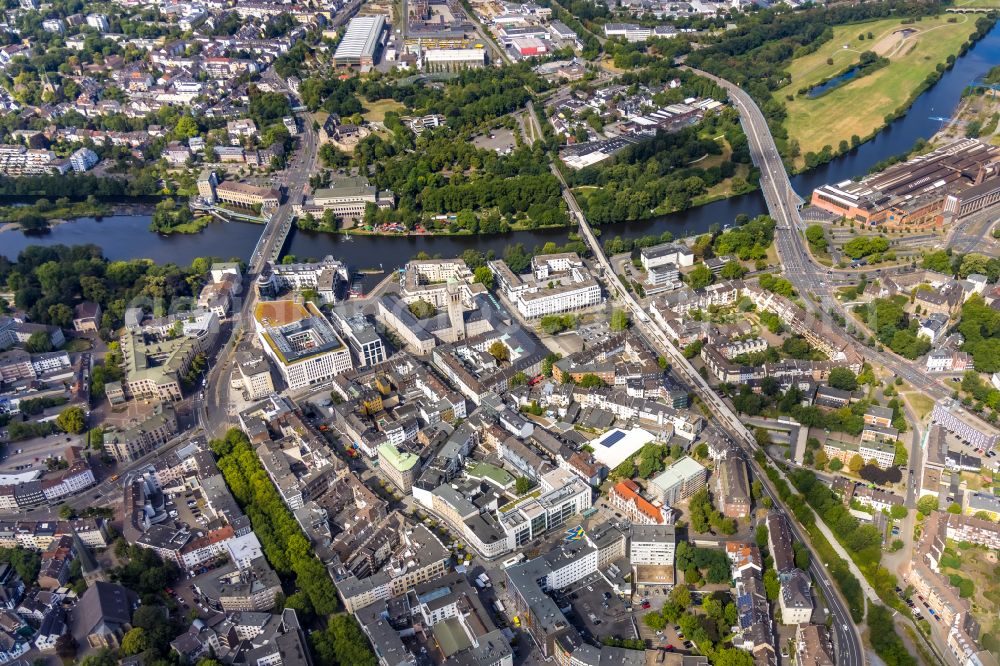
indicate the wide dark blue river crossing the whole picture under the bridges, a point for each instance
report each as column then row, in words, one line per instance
column 128, row 236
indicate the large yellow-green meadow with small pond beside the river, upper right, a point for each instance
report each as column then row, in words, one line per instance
column 860, row 106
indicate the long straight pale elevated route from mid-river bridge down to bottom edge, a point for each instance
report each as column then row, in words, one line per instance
column 849, row 647
